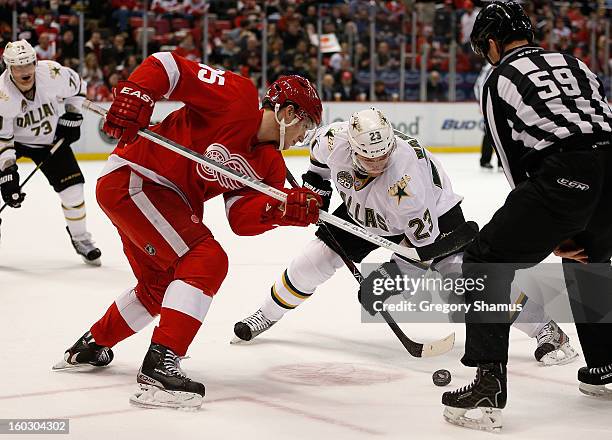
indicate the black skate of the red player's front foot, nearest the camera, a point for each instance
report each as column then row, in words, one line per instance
column 162, row 383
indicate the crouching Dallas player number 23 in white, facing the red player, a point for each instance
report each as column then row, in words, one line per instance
column 392, row 187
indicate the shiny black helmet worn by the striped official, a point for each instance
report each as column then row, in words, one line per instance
column 503, row 22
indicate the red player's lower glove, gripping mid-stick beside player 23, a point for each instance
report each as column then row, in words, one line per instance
column 301, row 208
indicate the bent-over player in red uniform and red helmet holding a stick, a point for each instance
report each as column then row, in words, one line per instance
column 155, row 199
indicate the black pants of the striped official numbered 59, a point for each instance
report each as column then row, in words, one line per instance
column 537, row 216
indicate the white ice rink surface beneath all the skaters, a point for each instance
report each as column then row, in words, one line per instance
column 319, row 373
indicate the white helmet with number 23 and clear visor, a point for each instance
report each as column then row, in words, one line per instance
column 371, row 138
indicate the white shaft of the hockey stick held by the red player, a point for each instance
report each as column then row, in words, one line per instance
column 408, row 253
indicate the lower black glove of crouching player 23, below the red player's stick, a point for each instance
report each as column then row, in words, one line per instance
column 380, row 285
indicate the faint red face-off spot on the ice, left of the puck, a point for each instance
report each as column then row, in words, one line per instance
column 332, row 373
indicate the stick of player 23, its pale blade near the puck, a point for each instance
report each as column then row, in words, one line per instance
column 416, row 349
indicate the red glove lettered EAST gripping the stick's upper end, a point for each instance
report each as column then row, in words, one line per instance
column 131, row 110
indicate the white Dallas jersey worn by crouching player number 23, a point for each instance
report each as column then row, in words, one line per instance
column 408, row 198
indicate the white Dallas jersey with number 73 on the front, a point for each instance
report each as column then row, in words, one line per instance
column 33, row 122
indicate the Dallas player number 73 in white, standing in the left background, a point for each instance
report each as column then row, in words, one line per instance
column 32, row 94
